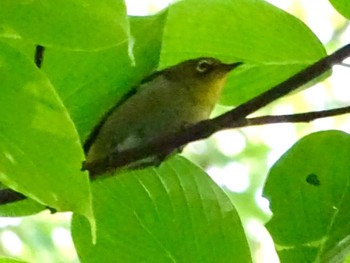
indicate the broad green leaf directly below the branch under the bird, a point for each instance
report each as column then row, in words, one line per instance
column 174, row 213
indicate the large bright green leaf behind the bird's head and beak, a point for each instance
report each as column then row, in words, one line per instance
column 273, row 44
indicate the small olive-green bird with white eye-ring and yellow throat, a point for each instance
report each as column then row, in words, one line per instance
column 165, row 102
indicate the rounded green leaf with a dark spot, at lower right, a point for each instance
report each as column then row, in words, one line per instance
column 309, row 191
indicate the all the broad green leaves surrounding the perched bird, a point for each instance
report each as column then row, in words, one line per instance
column 94, row 54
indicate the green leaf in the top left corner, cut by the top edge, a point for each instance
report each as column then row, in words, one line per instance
column 78, row 25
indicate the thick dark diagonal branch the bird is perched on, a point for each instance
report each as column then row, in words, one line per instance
column 204, row 129
